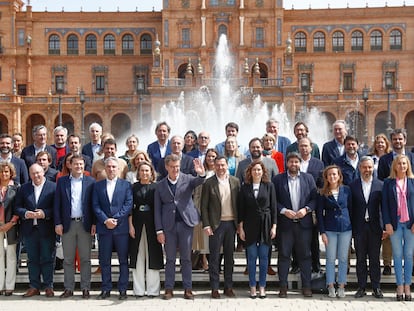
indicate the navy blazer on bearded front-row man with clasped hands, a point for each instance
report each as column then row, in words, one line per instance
column 307, row 198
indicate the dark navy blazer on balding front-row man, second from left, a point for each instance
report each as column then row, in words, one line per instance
column 25, row 201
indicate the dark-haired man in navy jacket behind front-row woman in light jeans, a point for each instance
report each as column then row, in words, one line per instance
column 348, row 162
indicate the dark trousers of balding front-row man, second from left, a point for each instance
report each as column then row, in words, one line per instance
column 41, row 259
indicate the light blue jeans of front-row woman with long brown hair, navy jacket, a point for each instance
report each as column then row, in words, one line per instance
column 338, row 246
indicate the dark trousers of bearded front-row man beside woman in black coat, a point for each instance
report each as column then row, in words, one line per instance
column 298, row 239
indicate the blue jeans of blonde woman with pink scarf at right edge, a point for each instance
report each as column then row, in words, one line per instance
column 402, row 243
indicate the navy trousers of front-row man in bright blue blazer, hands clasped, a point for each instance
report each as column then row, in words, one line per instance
column 106, row 244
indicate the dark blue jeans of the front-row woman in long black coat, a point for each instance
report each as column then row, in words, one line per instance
column 253, row 251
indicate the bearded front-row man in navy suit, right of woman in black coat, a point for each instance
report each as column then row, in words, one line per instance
column 296, row 195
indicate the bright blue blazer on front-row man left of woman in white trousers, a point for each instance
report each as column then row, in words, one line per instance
column 119, row 208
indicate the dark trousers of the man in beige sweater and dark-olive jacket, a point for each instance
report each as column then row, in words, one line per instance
column 223, row 236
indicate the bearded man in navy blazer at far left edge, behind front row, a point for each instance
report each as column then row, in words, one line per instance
column 22, row 175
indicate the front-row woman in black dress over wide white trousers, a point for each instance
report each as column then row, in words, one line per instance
column 145, row 252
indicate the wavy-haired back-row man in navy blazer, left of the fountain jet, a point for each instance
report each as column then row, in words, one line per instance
column 160, row 148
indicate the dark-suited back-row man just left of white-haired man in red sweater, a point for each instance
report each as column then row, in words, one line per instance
column 39, row 144
